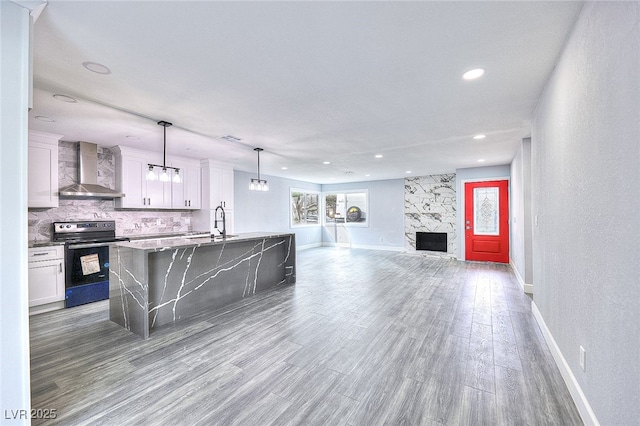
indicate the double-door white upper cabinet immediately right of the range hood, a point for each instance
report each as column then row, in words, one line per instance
column 131, row 178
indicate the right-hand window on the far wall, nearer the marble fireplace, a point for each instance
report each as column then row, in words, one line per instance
column 349, row 208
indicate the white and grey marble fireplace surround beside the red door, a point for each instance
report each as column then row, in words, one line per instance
column 430, row 206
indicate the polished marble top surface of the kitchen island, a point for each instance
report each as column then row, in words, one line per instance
column 193, row 239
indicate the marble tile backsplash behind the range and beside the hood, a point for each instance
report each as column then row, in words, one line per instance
column 128, row 222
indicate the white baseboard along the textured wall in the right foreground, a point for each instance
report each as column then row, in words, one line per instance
column 587, row 414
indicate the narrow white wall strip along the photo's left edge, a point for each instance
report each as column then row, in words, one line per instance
column 14, row 310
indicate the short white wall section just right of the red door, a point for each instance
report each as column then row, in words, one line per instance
column 521, row 218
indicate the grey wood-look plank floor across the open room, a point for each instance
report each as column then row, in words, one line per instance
column 364, row 338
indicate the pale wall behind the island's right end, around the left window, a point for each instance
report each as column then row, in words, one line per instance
column 269, row 211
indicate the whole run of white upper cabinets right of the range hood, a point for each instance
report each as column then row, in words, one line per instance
column 132, row 166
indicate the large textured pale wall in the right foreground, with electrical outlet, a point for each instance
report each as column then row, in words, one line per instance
column 586, row 180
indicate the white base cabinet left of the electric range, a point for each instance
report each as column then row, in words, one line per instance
column 46, row 279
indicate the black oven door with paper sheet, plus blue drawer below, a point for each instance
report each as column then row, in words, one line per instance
column 87, row 273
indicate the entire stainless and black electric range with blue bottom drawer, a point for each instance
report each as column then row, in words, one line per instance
column 86, row 259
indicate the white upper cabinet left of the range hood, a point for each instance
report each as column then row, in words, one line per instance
column 43, row 169
